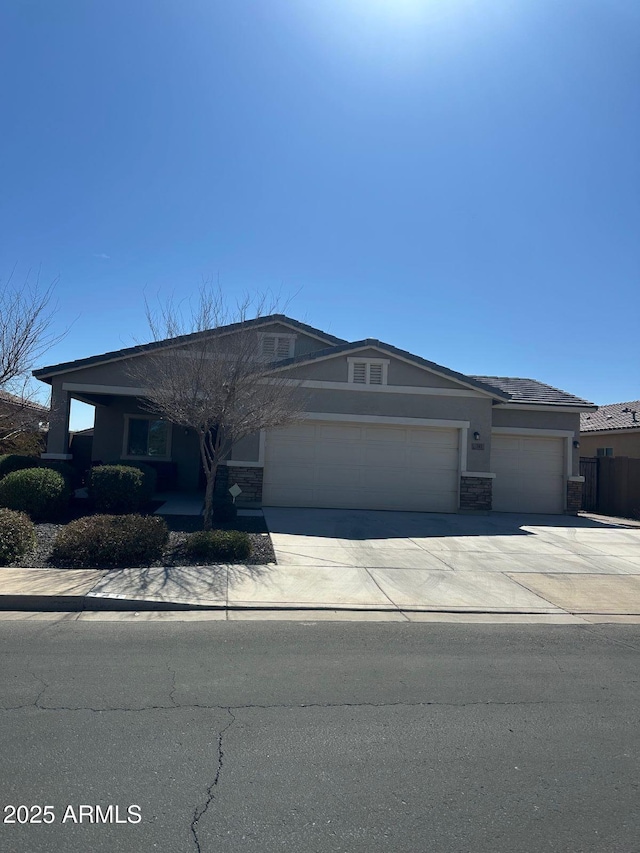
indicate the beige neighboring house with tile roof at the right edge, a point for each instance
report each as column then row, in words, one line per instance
column 613, row 430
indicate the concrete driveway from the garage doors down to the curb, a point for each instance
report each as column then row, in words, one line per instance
column 505, row 561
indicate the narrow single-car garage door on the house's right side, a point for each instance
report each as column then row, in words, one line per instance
column 529, row 473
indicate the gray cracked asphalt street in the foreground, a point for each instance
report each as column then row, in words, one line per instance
column 326, row 737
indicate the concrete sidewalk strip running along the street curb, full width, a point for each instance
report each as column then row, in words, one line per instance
column 339, row 588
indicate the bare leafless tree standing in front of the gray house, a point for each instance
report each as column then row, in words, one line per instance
column 212, row 376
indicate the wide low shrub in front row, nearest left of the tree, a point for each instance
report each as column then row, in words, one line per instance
column 107, row 541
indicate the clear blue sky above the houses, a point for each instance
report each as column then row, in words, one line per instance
column 457, row 178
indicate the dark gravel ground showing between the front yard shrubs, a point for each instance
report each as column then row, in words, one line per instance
column 179, row 526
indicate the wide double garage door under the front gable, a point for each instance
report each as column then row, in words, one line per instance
column 362, row 466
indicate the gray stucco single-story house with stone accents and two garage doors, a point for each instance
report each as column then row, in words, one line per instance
column 383, row 429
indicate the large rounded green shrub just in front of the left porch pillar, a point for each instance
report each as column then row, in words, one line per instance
column 41, row 493
